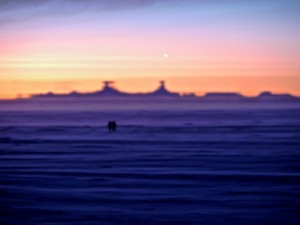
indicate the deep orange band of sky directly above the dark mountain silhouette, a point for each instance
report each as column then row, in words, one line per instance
column 248, row 86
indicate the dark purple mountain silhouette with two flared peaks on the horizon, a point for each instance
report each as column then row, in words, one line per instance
column 161, row 92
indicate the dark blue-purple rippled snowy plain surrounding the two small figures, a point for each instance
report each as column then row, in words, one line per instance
column 167, row 163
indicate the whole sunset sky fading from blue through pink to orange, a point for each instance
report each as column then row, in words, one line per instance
column 195, row 45
